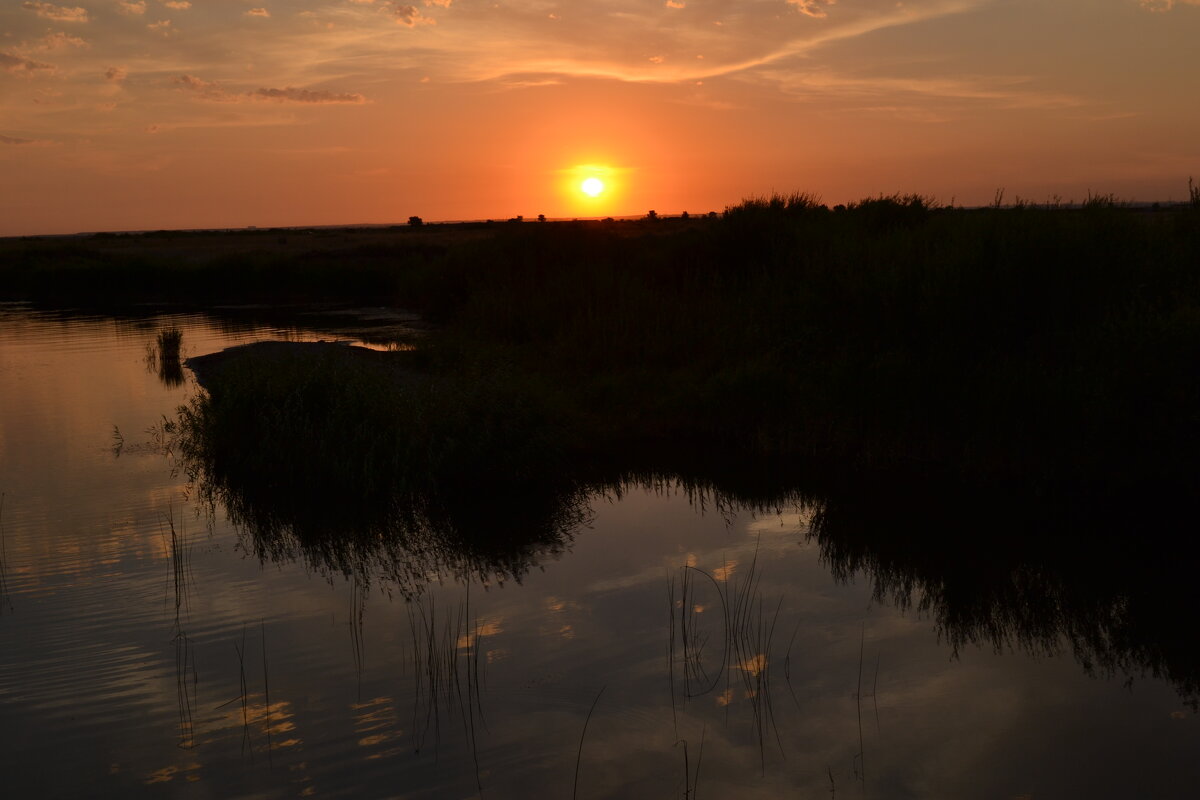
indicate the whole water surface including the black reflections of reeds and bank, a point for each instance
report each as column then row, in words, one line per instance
column 250, row 681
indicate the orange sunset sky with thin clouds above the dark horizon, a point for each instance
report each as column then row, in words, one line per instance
column 143, row 115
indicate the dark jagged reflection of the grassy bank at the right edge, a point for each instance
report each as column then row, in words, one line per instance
column 1111, row 580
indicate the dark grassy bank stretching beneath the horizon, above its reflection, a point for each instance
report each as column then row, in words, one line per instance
column 1043, row 347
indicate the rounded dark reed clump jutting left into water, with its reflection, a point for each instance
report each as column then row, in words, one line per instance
column 352, row 470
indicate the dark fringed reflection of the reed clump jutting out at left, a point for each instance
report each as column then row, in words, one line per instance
column 356, row 512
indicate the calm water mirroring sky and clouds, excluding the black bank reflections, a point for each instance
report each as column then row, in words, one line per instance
column 149, row 649
